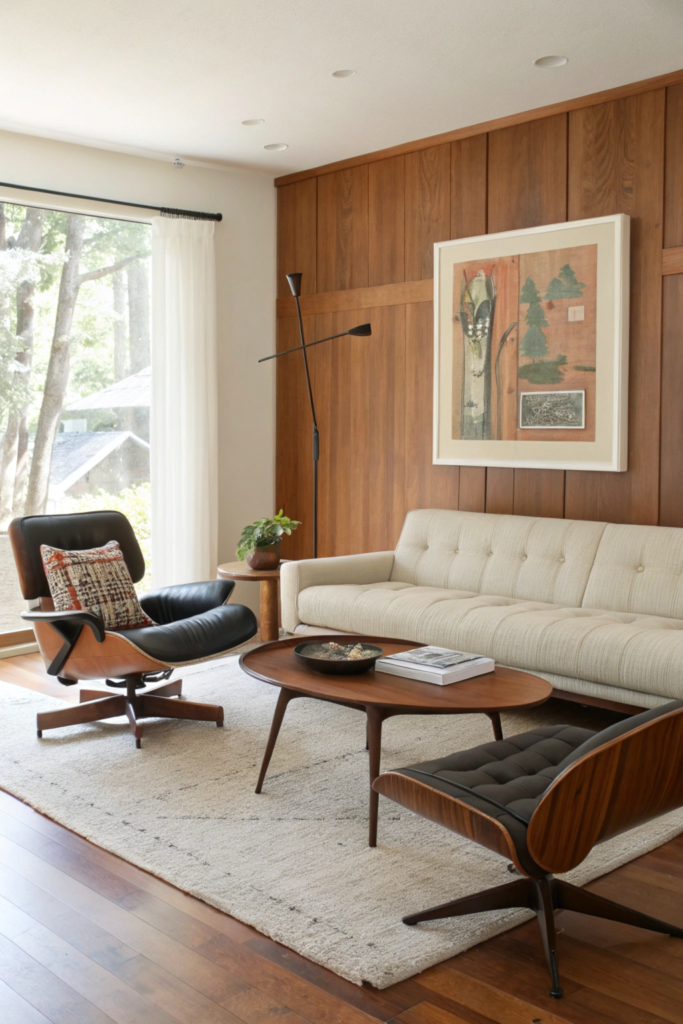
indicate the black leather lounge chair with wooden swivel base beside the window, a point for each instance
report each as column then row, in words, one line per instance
column 195, row 623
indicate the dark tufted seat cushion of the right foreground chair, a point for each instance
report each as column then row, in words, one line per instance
column 515, row 773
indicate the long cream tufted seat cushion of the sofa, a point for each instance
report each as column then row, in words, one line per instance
column 636, row 653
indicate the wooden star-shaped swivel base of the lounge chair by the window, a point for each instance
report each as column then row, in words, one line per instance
column 97, row 706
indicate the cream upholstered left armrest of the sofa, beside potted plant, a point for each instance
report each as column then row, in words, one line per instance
column 294, row 577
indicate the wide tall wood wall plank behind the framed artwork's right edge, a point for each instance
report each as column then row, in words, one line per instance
column 617, row 162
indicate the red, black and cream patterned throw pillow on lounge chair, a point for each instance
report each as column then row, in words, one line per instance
column 97, row 580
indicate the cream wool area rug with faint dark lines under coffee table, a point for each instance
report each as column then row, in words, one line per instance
column 294, row 862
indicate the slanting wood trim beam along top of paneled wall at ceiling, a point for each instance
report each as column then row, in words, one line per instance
column 620, row 93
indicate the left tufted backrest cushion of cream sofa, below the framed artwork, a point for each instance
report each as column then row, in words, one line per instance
column 506, row 556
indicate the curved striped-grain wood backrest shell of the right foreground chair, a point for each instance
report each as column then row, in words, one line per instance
column 629, row 782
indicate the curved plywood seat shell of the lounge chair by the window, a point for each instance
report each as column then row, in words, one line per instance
column 91, row 660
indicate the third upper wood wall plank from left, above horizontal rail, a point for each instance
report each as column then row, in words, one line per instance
column 387, row 205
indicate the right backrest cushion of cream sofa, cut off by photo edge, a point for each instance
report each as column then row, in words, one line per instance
column 638, row 570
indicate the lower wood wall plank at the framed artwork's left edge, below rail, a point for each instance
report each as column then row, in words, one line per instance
column 426, row 486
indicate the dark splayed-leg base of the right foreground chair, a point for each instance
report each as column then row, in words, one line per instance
column 545, row 895
